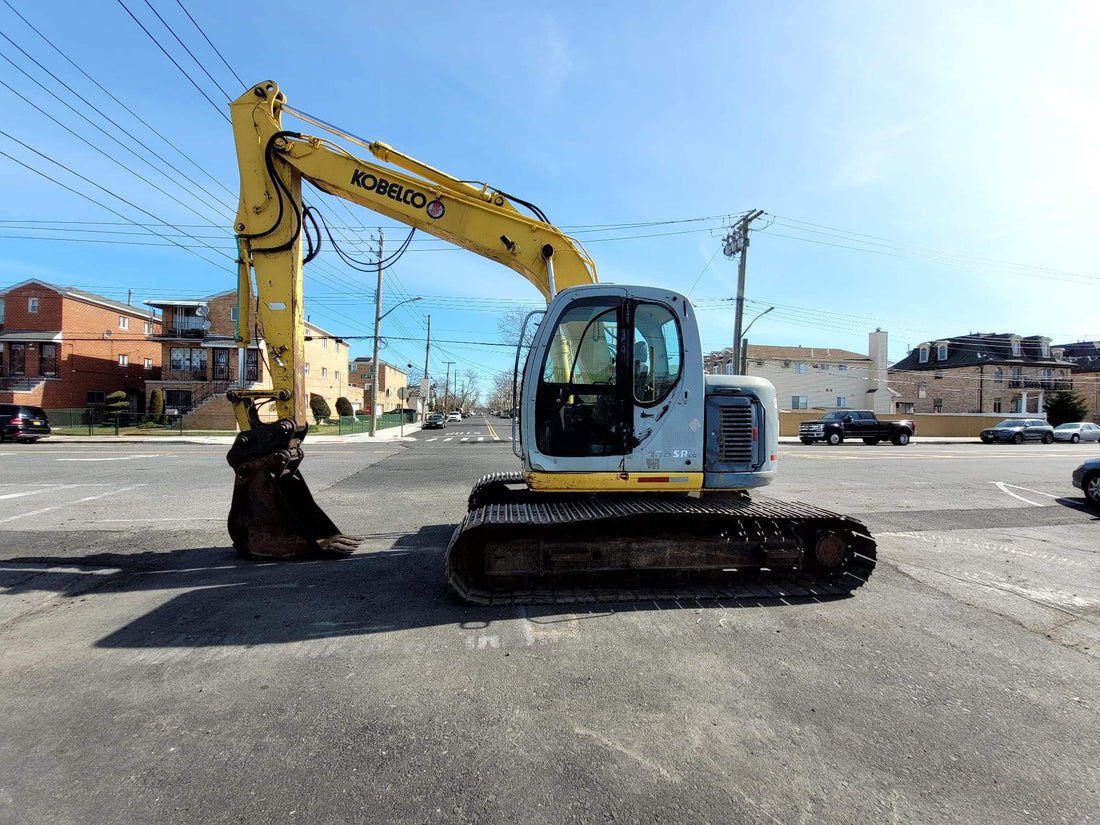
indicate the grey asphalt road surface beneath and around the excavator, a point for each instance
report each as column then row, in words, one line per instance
column 150, row 676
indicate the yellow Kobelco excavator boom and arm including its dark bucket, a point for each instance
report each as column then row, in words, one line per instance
column 273, row 513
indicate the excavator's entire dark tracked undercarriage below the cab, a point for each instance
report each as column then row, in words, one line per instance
column 520, row 547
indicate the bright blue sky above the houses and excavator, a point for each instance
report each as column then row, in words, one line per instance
column 930, row 169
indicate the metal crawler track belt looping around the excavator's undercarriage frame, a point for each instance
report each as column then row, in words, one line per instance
column 783, row 520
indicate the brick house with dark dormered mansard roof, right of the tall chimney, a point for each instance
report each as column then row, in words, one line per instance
column 992, row 373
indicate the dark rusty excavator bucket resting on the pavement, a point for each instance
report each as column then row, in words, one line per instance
column 273, row 514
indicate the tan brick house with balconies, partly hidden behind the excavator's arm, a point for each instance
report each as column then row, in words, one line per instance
column 202, row 361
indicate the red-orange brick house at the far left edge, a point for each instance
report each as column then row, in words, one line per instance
column 68, row 349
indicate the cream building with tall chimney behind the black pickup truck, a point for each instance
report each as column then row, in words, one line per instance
column 817, row 378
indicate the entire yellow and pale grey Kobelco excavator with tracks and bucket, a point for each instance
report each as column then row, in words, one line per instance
column 636, row 467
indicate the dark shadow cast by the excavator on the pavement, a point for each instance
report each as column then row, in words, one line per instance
column 228, row 601
